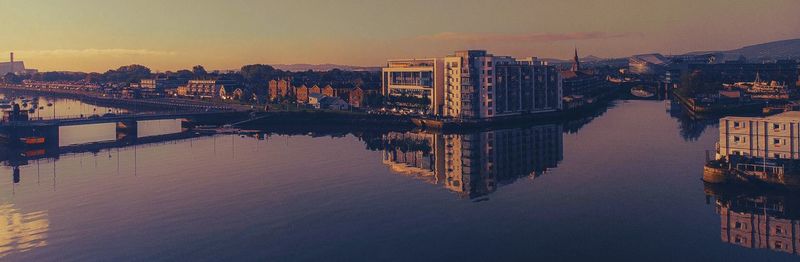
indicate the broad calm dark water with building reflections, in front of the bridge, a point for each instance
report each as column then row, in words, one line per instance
column 625, row 185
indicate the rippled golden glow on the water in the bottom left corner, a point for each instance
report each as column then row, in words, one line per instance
column 21, row 232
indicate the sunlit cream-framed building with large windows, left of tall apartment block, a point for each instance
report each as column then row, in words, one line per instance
column 415, row 83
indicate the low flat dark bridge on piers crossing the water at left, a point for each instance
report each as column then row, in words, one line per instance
column 13, row 131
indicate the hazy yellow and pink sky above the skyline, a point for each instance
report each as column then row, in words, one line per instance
column 97, row 35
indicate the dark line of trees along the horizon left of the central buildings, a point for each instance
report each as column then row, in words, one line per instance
column 254, row 76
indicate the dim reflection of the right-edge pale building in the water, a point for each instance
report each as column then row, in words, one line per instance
column 758, row 218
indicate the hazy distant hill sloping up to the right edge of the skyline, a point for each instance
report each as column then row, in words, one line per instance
column 773, row 50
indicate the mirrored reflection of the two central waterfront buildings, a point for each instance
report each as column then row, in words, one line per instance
column 476, row 164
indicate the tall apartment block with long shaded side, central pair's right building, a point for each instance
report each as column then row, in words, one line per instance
column 479, row 85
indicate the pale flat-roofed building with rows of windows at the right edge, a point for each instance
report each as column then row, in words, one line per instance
column 773, row 137
